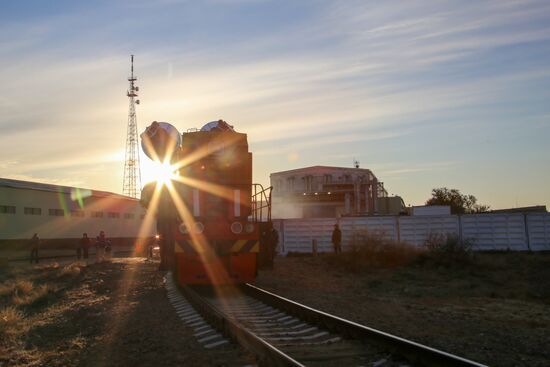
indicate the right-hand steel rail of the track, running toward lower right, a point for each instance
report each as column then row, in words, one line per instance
column 414, row 352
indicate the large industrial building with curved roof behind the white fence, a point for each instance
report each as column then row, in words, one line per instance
column 323, row 191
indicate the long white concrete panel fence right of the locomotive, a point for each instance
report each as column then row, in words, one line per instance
column 487, row 232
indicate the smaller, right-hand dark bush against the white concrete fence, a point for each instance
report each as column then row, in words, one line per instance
column 449, row 249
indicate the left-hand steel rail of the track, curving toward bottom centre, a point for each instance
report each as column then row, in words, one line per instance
column 267, row 354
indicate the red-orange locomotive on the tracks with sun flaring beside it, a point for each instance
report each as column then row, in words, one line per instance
column 212, row 219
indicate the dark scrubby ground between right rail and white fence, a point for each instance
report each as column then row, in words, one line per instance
column 495, row 311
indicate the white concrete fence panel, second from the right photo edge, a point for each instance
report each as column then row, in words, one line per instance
column 495, row 231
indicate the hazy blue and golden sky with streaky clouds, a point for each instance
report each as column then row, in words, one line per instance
column 426, row 94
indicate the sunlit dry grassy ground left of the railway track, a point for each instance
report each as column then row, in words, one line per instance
column 108, row 314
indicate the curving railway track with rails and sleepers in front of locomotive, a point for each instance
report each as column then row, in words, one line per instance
column 281, row 332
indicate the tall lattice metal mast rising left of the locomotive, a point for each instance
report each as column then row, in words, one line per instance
column 132, row 174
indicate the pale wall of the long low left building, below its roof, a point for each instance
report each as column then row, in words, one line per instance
column 125, row 221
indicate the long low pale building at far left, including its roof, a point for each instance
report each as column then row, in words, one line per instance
column 61, row 214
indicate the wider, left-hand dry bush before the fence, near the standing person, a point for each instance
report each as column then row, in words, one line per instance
column 375, row 250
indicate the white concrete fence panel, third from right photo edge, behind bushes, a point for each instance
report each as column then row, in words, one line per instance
column 416, row 230
